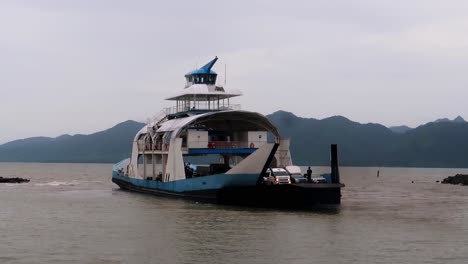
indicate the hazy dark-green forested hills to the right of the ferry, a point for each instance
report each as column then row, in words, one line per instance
column 436, row 144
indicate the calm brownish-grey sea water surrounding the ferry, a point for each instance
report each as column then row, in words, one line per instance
column 73, row 213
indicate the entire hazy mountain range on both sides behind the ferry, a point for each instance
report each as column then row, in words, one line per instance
column 436, row 144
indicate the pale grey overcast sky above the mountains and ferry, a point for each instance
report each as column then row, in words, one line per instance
column 70, row 66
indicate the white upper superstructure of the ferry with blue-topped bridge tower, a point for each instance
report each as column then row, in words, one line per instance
column 206, row 121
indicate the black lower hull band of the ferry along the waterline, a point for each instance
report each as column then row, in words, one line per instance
column 280, row 196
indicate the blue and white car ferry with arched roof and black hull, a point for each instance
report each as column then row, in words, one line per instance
column 232, row 150
